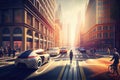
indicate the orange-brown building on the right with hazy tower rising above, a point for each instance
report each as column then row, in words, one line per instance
column 99, row 29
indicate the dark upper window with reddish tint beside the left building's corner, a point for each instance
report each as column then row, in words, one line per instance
column 18, row 16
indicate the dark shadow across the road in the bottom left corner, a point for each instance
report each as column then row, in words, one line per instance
column 12, row 73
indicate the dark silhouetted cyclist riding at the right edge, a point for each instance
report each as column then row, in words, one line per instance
column 116, row 60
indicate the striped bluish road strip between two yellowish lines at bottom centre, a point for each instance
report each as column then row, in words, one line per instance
column 72, row 72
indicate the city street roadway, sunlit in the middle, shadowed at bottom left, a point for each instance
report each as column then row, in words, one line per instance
column 83, row 67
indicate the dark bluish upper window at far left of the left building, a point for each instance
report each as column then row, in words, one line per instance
column 7, row 16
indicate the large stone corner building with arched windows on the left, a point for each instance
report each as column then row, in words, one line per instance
column 27, row 24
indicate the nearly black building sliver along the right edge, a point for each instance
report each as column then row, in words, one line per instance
column 115, row 15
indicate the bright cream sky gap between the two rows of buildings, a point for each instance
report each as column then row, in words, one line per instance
column 70, row 11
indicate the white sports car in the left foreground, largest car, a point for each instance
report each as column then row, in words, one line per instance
column 32, row 59
